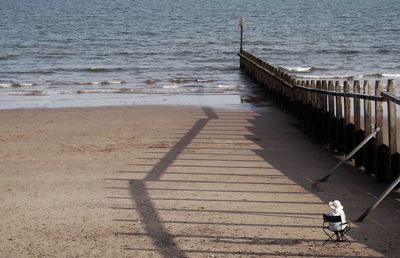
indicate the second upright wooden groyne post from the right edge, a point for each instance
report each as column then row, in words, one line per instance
column 379, row 166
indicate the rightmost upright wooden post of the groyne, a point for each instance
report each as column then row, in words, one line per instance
column 392, row 162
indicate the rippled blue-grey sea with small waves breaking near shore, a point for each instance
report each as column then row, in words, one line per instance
column 52, row 49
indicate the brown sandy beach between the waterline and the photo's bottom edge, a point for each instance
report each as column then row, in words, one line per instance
column 176, row 182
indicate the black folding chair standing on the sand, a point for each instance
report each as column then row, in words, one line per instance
column 331, row 233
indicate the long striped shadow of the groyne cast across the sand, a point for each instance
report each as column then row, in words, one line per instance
column 237, row 183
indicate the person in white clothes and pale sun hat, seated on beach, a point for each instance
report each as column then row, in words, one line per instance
column 339, row 227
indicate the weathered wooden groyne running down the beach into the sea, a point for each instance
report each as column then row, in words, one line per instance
column 337, row 114
